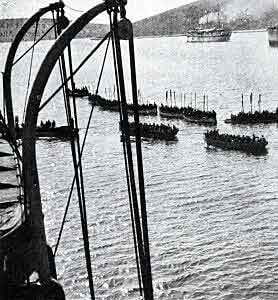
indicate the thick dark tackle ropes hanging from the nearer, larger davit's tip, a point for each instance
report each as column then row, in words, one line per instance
column 140, row 218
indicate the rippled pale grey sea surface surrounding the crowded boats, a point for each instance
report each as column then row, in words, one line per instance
column 213, row 215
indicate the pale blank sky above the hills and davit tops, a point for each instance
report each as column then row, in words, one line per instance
column 136, row 9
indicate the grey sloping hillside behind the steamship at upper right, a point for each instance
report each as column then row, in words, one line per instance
column 237, row 14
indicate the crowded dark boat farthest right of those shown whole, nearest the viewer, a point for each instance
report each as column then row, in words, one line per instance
column 253, row 145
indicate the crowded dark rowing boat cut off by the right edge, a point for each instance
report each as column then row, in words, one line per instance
column 264, row 117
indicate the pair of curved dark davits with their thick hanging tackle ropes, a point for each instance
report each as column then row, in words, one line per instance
column 35, row 252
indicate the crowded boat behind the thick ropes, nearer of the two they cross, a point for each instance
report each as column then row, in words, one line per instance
column 155, row 131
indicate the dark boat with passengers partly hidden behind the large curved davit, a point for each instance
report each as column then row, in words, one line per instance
column 61, row 132
